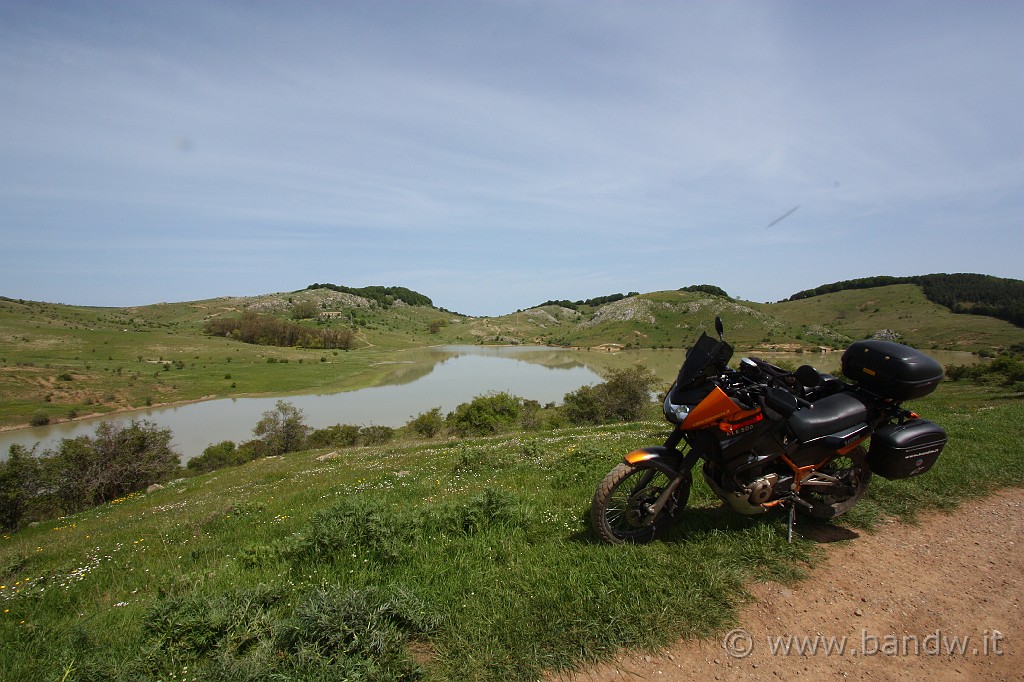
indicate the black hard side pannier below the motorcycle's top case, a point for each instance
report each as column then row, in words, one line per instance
column 900, row 451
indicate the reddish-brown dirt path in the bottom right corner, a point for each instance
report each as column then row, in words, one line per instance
column 942, row 601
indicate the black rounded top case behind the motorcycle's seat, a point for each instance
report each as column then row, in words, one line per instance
column 891, row 370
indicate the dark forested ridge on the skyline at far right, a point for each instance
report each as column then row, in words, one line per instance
column 963, row 292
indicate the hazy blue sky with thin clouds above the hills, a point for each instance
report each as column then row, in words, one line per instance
column 494, row 155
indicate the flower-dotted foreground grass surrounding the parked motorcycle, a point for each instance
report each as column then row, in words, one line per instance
column 463, row 561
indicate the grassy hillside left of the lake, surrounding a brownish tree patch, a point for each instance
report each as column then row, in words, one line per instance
column 61, row 361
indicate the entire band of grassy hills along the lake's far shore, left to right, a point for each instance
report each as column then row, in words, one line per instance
column 61, row 362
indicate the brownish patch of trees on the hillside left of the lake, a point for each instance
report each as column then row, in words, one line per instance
column 270, row 331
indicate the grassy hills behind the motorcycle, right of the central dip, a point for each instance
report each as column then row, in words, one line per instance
column 673, row 319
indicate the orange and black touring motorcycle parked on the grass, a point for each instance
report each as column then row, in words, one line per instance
column 770, row 439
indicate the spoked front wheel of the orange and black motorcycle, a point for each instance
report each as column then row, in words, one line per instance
column 620, row 511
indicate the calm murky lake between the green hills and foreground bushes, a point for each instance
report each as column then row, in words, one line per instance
column 424, row 378
